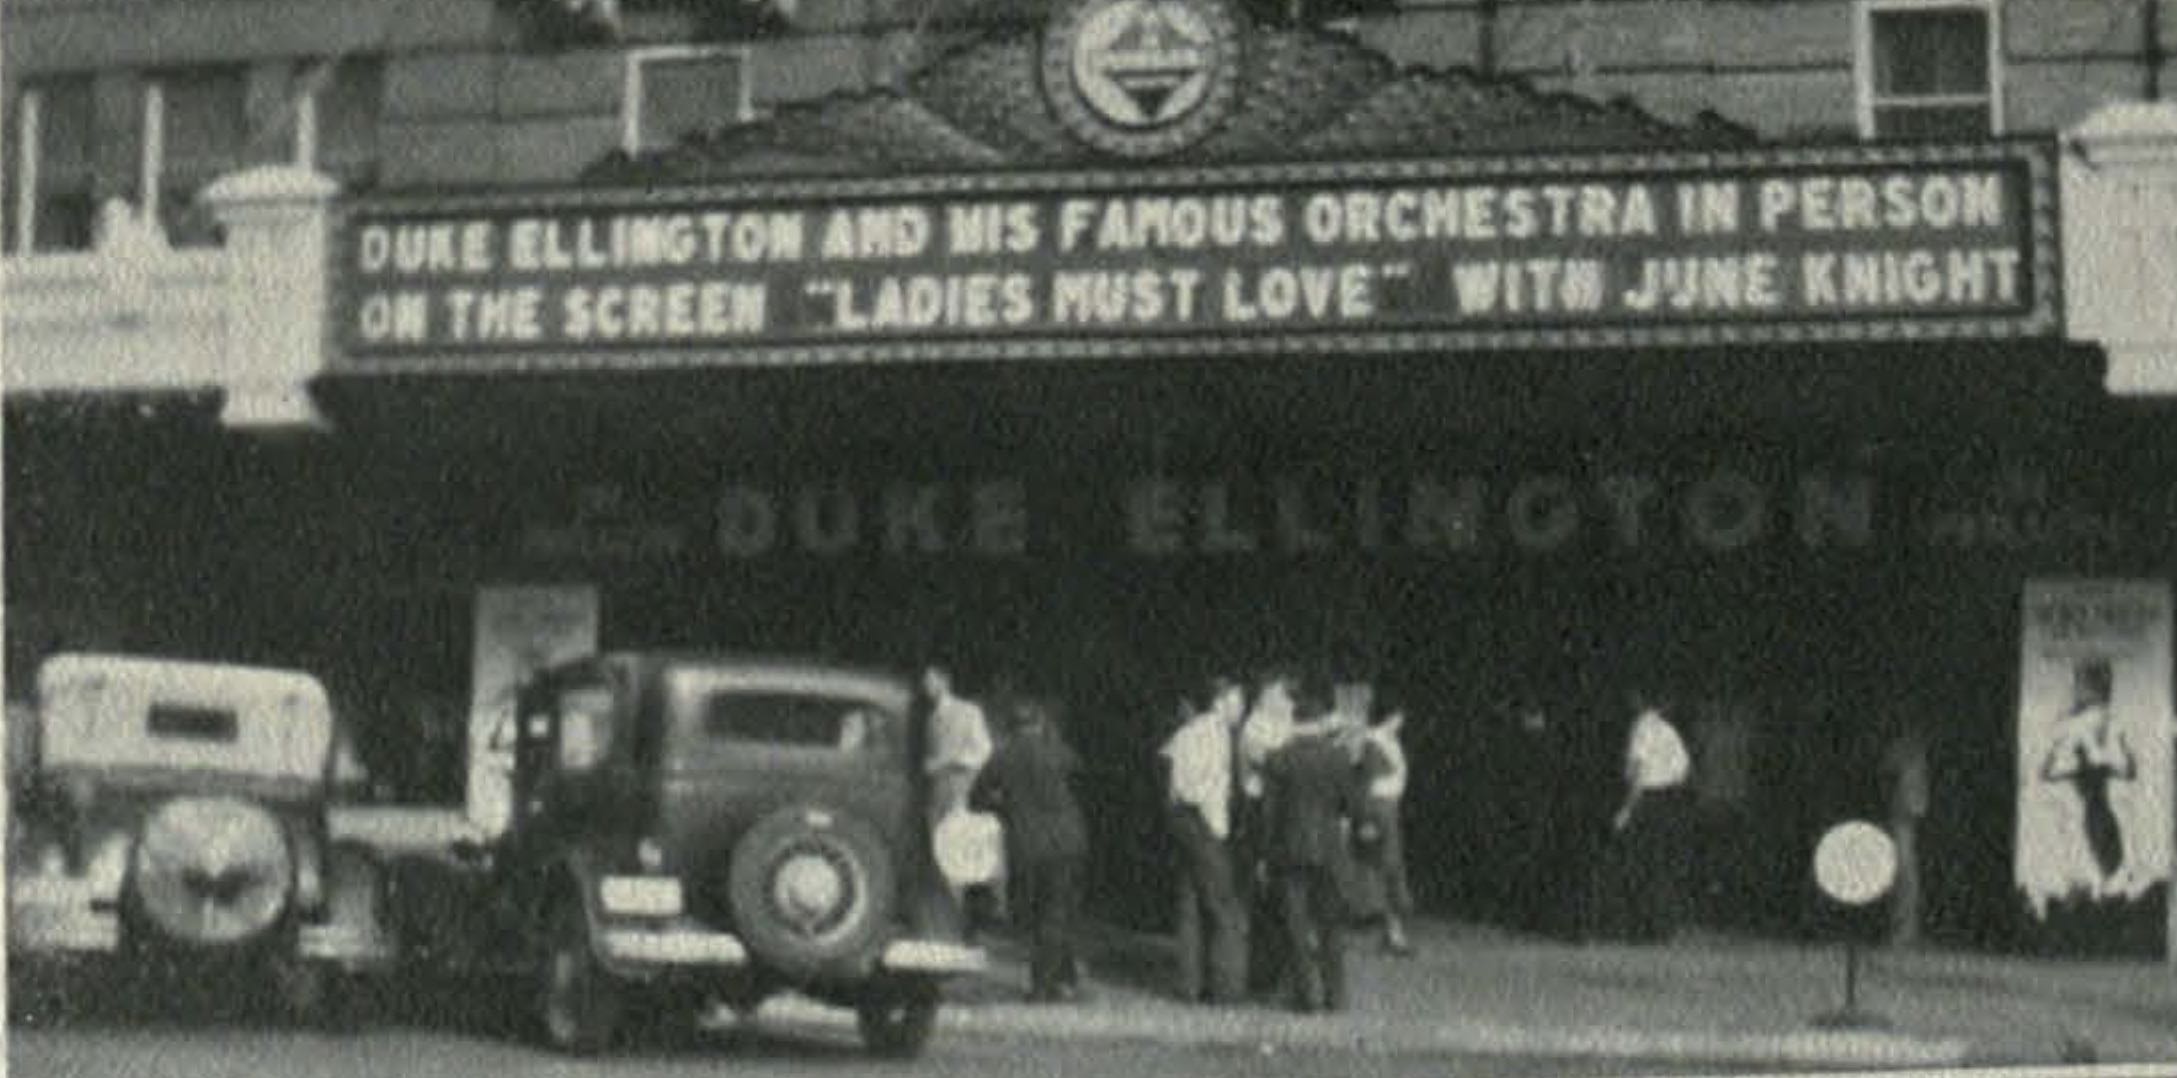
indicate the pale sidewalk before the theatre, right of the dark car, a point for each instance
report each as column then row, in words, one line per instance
column 1701, row 1001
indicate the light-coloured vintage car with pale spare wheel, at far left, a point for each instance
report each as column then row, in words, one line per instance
column 173, row 816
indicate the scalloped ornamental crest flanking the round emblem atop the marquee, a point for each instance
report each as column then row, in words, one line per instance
column 1303, row 95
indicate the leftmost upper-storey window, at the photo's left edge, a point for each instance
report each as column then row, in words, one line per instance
column 49, row 167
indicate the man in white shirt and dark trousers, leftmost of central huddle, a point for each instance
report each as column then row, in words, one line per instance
column 1212, row 933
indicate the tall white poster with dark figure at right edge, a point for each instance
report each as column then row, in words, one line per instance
column 2095, row 759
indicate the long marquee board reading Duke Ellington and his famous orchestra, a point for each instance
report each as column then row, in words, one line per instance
column 1420, row 256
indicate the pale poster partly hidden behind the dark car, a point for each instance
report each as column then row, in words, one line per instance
column 519, row 633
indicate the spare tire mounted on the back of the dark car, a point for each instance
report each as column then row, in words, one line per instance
column 813, row 892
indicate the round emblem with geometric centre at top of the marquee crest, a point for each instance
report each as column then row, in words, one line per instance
column 1142, row 77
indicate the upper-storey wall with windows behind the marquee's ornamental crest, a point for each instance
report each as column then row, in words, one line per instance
column 151, row 101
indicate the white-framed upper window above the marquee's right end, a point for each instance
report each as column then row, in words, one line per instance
column 1930, row 69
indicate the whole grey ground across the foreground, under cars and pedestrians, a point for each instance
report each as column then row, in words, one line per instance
column 1473, row 1003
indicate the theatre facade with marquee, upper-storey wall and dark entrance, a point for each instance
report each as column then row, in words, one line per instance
column 1098, row 384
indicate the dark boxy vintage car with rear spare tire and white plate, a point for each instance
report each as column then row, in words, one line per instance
column 696, row 831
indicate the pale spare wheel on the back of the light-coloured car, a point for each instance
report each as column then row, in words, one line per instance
column 212, row 870
